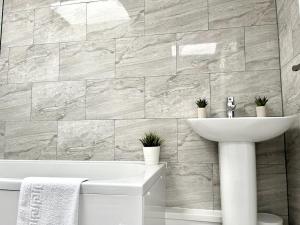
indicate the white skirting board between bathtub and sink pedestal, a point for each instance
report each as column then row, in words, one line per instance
column 180, row 216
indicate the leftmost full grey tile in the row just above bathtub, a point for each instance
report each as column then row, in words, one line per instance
column 31, row 140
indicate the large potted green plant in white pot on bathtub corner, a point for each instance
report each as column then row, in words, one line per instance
column 151, row 142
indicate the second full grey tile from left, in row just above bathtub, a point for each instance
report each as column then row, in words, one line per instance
column 85, row 140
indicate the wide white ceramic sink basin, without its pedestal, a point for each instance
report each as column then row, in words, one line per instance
column 242, row 129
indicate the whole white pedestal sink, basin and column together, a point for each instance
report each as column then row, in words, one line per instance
column 237, row 139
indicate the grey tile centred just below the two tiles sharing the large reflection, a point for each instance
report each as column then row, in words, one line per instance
column 87, row 60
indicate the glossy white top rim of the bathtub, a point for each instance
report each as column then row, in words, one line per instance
column 135, row 187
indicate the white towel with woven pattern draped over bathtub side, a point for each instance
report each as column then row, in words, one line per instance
column 49, row 201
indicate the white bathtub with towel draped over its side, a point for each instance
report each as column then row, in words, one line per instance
column 117, row 193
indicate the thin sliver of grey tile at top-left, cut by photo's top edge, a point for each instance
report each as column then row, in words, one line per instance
column 19, row 5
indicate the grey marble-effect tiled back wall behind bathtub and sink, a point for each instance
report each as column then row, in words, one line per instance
column 84, row 80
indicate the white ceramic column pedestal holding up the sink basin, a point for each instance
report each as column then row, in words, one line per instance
column 238, row 183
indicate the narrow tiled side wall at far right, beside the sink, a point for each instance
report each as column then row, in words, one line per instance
column 289, row 33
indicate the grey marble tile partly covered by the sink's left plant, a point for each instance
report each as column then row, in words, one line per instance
column 175, row 96
